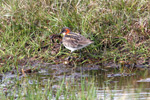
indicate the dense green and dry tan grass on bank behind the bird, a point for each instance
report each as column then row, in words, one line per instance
column 120, row 29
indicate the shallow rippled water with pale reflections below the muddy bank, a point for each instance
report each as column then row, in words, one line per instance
column 122, row 84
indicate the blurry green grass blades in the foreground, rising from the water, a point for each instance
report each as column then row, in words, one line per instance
column 64, row 89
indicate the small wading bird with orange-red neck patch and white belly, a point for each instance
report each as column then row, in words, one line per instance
column 74, row 41
